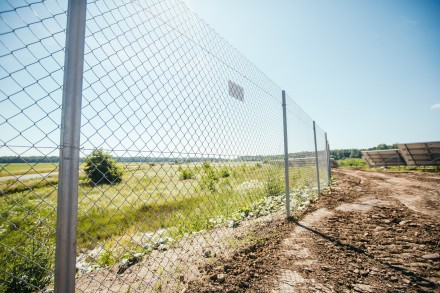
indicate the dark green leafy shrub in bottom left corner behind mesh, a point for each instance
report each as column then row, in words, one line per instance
column 27, row 271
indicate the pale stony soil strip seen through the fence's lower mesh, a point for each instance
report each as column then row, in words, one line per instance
column 171, row 269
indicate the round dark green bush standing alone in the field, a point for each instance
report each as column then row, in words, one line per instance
column 101, row 168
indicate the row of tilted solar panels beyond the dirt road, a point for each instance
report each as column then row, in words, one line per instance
column 406, row 154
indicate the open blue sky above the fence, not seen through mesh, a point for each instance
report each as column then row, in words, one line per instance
column 367, row 71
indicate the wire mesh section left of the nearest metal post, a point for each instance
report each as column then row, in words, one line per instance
column 32, row 43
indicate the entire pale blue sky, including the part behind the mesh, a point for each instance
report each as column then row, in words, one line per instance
column 155, row 79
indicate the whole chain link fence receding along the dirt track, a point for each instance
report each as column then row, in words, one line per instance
column 181, row 147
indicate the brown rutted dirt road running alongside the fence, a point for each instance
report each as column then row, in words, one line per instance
column 374, row 232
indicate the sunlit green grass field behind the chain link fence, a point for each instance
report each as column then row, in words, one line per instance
column 175, row 199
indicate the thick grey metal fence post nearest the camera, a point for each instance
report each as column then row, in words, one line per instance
column 67, row 208
